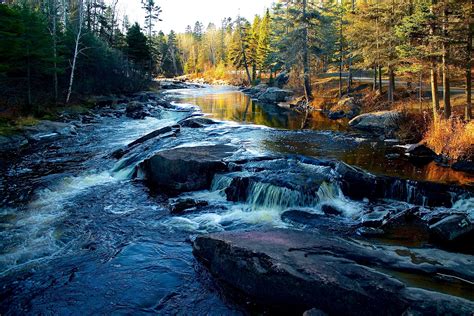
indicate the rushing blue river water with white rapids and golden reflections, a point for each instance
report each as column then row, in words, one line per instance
column 78, row 235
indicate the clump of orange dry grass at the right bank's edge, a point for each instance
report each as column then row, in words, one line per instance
column 452, row 138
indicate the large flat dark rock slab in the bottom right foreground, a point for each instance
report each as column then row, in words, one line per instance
column 295, row 271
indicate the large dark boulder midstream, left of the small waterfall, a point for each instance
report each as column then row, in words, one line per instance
column 185, row 169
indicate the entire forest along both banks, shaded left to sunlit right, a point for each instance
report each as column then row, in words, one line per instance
column 56, row 51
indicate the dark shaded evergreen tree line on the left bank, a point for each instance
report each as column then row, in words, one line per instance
column 55, row 51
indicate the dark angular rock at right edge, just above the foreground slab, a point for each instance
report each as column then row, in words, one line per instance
column 452, row 227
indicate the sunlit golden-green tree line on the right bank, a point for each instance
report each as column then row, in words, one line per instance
column 407, row 38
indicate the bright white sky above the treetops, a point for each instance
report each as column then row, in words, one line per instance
column 177, row 14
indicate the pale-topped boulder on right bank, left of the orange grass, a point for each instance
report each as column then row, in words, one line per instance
column 383, row 122
